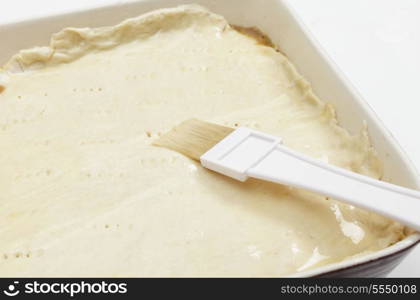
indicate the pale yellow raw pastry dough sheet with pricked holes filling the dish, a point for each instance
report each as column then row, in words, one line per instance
column 83, row 192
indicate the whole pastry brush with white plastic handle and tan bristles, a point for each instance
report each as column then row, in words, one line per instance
column 242, row 153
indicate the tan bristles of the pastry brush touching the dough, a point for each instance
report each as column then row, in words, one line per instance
column 193, row 137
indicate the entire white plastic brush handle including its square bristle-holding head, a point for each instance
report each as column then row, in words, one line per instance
column 248, row 153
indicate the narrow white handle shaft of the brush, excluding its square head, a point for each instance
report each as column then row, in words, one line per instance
column 286, row 167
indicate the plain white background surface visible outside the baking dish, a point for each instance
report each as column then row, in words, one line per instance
column 376, row 43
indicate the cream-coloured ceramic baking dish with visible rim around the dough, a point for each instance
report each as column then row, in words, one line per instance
column 275, row 18
